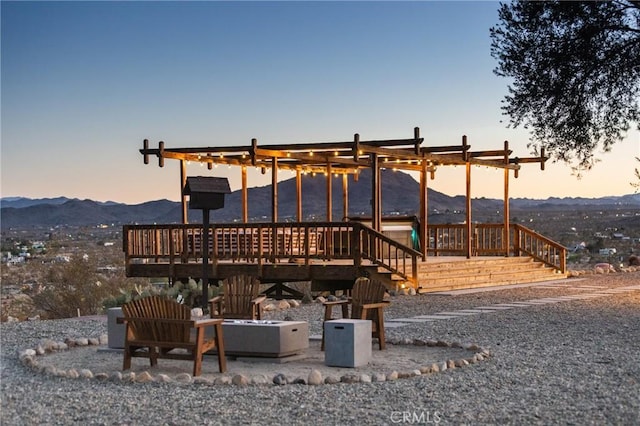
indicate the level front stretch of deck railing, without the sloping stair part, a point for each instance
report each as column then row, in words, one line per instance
column 260, row 242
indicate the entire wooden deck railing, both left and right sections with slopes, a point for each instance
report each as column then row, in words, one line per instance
column 307, row 241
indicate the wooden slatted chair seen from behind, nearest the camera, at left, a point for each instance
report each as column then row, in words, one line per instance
column 161, row 325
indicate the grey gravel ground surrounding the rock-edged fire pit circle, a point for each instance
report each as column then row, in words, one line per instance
column 574, row 362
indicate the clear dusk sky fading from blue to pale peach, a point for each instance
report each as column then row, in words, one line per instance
column 83, row 83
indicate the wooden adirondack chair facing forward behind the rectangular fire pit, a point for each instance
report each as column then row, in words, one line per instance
column 240, row 299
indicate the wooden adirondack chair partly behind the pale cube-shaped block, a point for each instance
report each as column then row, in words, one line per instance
column 367, row 303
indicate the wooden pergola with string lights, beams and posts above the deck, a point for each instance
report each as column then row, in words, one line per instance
column 345, row 158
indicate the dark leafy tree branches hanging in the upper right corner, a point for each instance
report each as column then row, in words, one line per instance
column 575, row 70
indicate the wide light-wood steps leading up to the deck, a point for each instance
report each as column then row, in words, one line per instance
column 447, row 275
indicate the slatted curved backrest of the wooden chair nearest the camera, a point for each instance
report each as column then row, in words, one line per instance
column 157, row 308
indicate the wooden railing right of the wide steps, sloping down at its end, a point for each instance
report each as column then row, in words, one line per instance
column 490, row 240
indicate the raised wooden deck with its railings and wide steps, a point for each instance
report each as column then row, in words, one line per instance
column 332, row 254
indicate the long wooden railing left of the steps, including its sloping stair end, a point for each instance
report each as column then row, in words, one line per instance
column 269, row 242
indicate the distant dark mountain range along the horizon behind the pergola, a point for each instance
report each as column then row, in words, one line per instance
column 400, row 196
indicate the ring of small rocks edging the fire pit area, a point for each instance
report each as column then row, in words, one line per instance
column 28, row 357
